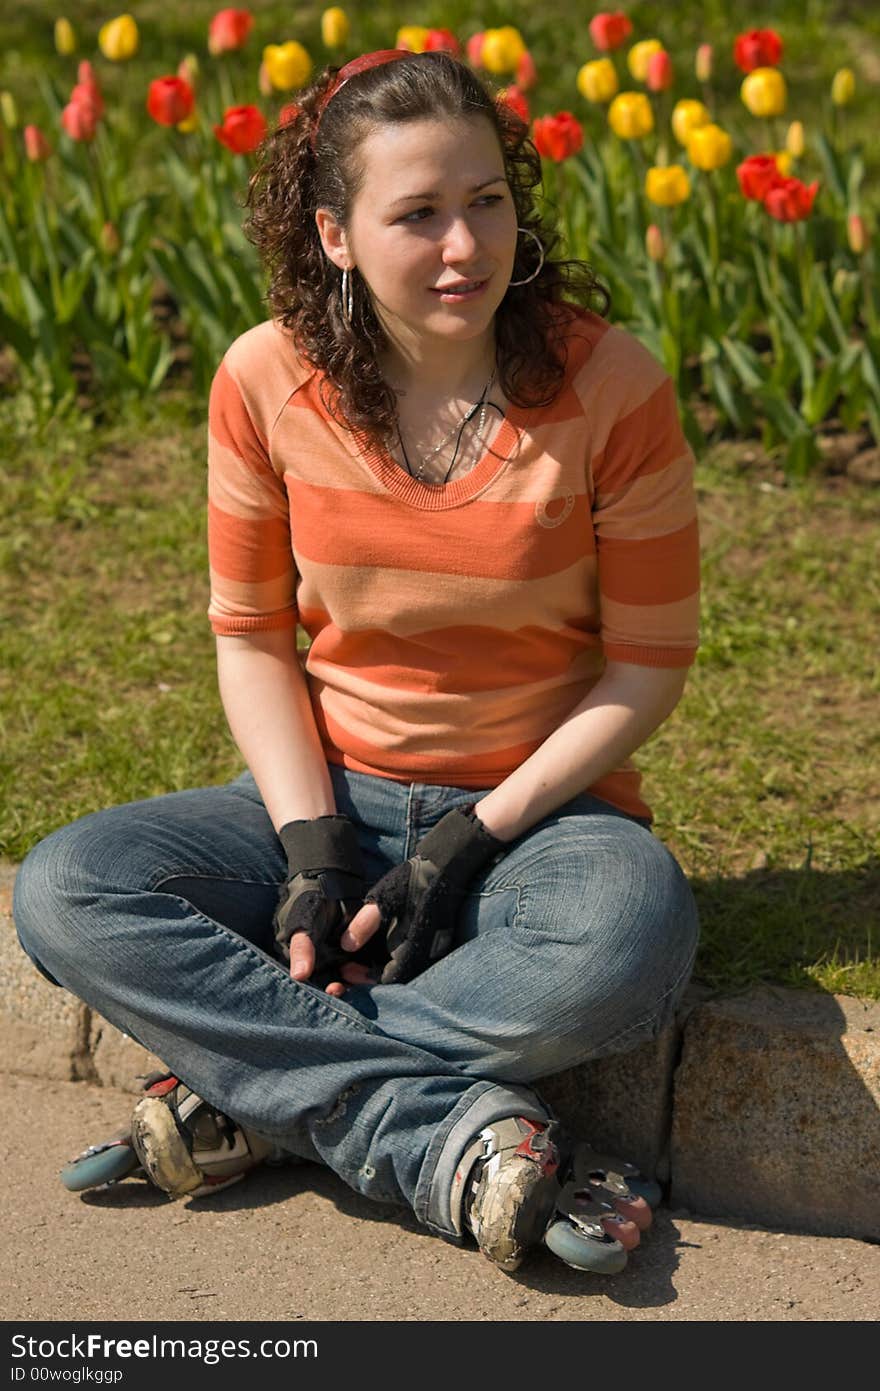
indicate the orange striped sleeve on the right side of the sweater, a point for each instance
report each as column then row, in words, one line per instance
column 644, row 517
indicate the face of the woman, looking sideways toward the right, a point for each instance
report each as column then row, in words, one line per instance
column 433, row 230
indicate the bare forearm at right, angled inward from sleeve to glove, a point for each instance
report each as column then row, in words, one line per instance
column 622, row 710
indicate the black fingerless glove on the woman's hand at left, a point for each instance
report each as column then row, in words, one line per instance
column 325, row 890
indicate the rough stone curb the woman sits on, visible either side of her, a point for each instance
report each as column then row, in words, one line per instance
column 761, row 1108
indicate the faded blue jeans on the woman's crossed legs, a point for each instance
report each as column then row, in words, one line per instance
column 158, row 915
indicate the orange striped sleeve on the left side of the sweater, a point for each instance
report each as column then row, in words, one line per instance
column 254, row 575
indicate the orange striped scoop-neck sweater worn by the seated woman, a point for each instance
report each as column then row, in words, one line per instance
column 455, row 628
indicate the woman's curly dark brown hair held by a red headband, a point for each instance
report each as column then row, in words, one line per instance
column 312, row 163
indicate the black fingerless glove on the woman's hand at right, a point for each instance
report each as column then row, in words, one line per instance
column 419, row 901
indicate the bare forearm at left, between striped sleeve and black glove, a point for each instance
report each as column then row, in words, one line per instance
column 266, row 700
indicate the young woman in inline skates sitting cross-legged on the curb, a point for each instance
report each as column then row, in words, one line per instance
column 437, row 883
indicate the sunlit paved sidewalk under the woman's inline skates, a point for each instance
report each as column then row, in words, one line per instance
column 290, row 1244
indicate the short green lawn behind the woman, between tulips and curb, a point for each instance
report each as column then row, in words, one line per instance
column 763, row 781
